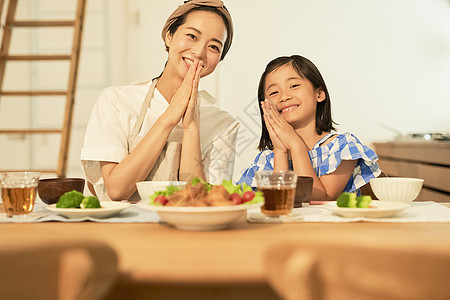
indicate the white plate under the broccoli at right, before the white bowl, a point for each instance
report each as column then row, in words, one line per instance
column 381, row 209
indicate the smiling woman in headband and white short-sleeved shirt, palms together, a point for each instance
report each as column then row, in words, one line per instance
column 166, row 129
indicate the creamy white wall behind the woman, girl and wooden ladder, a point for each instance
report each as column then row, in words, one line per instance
column 384, row 61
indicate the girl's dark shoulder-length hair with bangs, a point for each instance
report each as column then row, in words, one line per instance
column 307, row 70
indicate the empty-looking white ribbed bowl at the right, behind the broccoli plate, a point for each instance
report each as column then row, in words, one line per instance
column 396, row 189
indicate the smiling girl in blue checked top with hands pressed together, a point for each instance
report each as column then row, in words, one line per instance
column 296, row 132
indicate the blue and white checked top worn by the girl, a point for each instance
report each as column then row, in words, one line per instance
column 325, row 159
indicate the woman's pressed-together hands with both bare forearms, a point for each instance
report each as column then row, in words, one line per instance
column 120, row 178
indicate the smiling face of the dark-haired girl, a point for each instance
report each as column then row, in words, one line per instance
column 294, row 96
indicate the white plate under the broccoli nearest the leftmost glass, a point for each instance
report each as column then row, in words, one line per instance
column 109, row 208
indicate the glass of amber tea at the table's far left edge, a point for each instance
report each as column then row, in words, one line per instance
column 19, row 190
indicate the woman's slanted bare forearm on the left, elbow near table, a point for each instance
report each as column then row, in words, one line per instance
column 120, row 179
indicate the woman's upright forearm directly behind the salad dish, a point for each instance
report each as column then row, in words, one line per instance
column 191, row 164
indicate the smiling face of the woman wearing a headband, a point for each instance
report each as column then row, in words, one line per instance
column 201, row 37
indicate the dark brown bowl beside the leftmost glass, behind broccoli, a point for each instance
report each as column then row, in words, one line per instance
column 51, row 189
